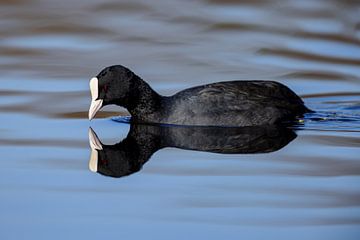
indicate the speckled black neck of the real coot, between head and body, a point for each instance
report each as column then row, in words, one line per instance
column 144, row 103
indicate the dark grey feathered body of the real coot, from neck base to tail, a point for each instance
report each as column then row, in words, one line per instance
column 233, row 103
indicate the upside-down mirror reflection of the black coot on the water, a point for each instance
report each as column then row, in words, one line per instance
column 129, row 155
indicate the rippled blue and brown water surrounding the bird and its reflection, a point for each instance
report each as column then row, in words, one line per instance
column 50, row 50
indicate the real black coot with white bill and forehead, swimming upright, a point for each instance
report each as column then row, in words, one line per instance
column 232, row 103
